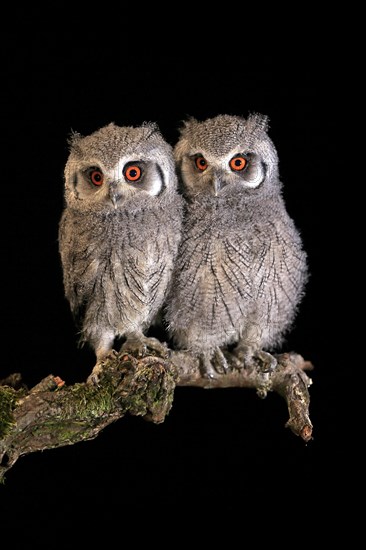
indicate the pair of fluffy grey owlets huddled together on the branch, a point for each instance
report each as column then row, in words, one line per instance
column 198, row 231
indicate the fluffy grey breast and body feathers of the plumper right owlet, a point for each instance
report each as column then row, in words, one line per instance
column 232, row 274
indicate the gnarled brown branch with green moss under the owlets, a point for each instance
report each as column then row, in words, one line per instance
column 52, row 414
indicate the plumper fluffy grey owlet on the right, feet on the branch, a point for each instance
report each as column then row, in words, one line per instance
column 241, row 270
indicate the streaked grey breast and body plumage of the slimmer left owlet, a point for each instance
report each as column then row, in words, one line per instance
column 120, row 265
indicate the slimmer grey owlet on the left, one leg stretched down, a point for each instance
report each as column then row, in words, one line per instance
column 118, row 235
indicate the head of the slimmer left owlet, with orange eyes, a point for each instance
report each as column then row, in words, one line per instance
column 116, row 164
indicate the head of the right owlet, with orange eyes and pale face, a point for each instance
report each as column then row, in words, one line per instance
column 225, row 155
